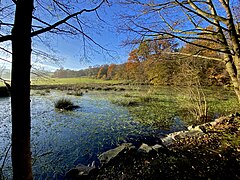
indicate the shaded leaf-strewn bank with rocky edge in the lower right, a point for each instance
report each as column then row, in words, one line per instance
column 207, row 151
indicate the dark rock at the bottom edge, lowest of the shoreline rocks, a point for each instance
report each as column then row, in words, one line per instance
column 81, row 172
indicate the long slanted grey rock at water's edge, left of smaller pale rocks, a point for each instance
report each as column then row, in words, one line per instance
column 112, row 153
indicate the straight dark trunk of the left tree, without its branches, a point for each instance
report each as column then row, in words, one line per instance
column 20, row 90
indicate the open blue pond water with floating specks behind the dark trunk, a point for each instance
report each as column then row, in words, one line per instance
column 62, row 140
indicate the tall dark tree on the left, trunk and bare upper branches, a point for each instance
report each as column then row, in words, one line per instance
column 21, row 20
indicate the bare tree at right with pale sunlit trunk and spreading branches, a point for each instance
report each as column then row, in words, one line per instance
column 214, row 22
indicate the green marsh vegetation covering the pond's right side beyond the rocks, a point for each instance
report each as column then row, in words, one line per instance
column 160, row 106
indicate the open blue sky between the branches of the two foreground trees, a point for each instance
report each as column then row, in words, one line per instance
column 70, row 50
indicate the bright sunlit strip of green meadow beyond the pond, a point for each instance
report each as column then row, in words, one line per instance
column 62, row 81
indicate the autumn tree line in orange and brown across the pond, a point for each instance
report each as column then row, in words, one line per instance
column 159, row 62
